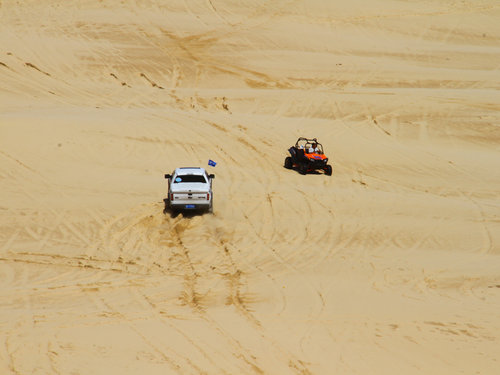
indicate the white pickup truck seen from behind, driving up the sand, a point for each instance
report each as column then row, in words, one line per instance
column 190, row 188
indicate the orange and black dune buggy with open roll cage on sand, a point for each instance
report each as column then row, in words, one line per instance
column 307, row 156
